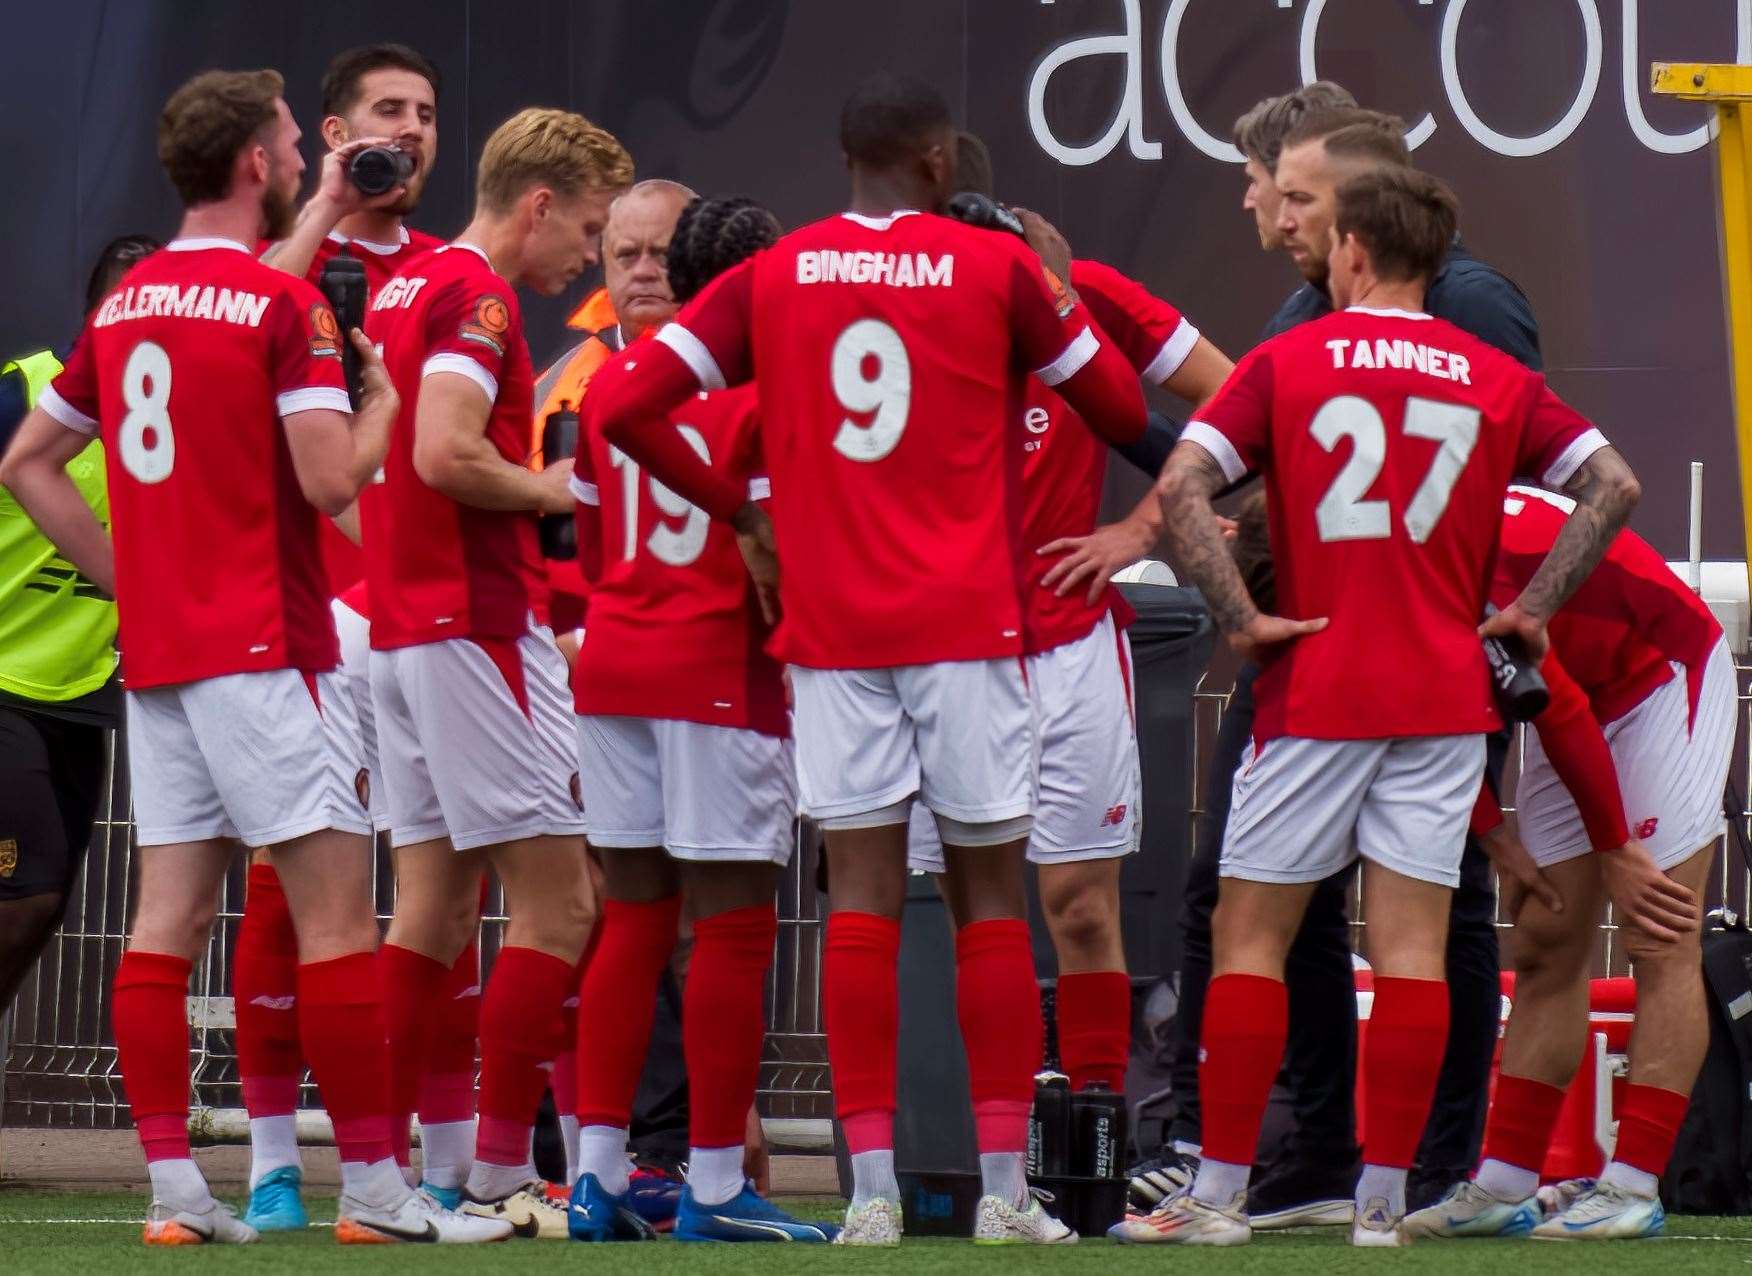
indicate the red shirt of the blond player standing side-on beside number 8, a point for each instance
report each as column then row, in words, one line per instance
column 439, row 569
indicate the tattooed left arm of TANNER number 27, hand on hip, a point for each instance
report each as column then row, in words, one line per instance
column 1196, row 542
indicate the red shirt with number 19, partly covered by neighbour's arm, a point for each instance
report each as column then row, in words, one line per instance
column 674, row 628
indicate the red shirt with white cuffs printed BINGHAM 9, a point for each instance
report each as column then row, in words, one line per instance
column 893, row 357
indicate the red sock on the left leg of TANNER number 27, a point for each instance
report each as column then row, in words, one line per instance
column 1241, row 1049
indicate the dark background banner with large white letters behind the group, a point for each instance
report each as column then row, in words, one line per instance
column 1112, row 117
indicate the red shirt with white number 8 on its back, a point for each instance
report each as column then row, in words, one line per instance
column 190, row 369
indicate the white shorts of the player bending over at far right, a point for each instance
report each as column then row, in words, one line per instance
column 1672, row 772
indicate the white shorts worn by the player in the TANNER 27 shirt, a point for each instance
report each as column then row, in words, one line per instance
column 1306, row 809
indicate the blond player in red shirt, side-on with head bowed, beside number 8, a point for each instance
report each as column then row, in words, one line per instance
column 474, row 714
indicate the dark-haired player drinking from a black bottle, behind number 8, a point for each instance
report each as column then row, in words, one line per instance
column 372, row 96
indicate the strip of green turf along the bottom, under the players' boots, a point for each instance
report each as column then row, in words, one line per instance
column 34, row 1238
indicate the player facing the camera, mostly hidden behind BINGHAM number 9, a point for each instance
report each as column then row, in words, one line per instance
column 1080, row 669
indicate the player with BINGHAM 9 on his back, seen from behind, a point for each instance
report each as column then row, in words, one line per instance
column 891, row 350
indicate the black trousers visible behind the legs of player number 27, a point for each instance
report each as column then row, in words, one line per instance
column 1320, row 1056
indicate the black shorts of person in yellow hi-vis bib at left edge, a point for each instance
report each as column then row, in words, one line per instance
column 52, row 781
